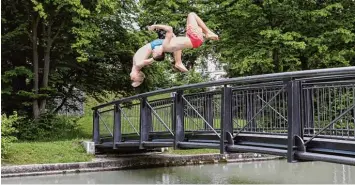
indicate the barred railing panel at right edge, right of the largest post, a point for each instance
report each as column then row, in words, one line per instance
column 330, row 109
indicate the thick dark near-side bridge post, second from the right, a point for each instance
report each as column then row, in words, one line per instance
column 226, row 116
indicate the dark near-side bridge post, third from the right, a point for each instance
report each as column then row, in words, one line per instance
column 178, row 118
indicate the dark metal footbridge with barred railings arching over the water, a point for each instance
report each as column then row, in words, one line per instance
column 304, row 116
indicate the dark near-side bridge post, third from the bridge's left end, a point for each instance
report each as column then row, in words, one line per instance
column 145, row 122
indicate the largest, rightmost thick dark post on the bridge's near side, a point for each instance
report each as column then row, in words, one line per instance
column 294, row 116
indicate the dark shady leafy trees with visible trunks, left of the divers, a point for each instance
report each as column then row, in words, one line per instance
column 43, row 41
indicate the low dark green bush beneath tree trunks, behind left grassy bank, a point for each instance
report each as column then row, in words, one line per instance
column 48, row 128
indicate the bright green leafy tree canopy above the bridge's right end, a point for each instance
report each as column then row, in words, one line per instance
column 272, row 36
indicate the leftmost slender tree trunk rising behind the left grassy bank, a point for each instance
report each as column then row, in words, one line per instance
column 36, row 111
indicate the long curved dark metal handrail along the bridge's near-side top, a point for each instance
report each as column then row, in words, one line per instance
column 247, row 79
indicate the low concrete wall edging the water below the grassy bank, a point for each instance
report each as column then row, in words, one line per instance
column 129, row 162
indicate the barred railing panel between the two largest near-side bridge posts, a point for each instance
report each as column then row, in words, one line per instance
column 261, row 109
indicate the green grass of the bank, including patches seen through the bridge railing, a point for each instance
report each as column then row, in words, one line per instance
column 70, row 150
